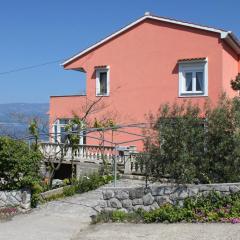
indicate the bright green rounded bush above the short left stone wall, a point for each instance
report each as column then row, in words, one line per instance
column 19, row 165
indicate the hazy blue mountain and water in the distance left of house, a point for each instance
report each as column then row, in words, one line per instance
column 15, row 117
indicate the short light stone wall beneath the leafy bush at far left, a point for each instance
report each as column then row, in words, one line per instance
column 20, row 199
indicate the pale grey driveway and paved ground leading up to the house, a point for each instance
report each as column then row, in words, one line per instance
column 69, row 219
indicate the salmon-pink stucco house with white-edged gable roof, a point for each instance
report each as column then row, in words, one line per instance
column 149, row 62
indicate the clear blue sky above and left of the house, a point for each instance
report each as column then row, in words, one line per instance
column 35, row 32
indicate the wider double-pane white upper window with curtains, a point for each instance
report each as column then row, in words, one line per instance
column 193, row 78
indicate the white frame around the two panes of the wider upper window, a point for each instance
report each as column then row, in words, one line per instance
column 193, row 67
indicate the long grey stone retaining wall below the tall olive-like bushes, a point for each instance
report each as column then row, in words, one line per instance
column 130, row 199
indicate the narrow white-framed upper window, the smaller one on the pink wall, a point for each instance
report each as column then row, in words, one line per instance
column 102, row 82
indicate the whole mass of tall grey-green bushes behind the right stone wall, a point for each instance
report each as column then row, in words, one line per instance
column 188, row 148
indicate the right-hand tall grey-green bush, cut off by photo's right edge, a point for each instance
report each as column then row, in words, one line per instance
column 222, row 161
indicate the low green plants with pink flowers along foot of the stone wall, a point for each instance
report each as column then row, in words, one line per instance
column 212, row 208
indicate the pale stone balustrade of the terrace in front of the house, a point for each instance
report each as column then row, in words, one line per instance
column 125, row 159
